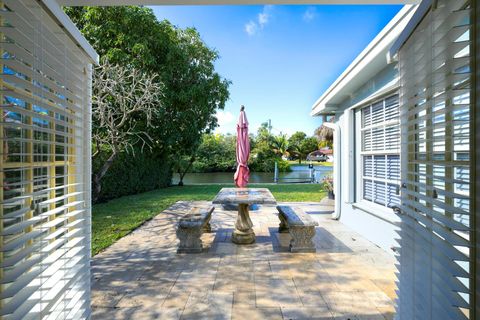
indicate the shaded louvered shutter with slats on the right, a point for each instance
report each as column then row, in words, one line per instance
column 435, row 245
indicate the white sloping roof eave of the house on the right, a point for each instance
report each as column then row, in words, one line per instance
column 370, row 61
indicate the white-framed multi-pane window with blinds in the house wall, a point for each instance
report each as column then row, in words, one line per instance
column 379, row 151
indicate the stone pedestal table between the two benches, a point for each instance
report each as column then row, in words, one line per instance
column 244, row 197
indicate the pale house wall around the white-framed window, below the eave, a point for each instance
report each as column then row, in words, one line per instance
column 376, row 224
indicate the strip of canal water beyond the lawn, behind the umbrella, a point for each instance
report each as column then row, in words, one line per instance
column 298, row 174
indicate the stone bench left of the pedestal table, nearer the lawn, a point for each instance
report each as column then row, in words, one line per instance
column 191, row 227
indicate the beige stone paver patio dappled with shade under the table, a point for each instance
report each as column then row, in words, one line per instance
column 142, row 277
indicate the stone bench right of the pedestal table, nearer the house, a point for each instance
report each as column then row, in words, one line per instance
column 300, row 226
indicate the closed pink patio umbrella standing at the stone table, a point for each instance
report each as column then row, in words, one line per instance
column 243, row 151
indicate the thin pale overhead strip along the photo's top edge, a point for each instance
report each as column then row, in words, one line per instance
column 224, row 2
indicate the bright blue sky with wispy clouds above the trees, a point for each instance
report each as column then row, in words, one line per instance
column 280, row 59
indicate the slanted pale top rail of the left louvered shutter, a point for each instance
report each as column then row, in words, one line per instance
column 69, row 27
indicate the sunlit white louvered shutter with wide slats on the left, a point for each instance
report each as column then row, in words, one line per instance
column 45, row 178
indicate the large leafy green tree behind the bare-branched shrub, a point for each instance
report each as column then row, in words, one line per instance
column 192, row 89
